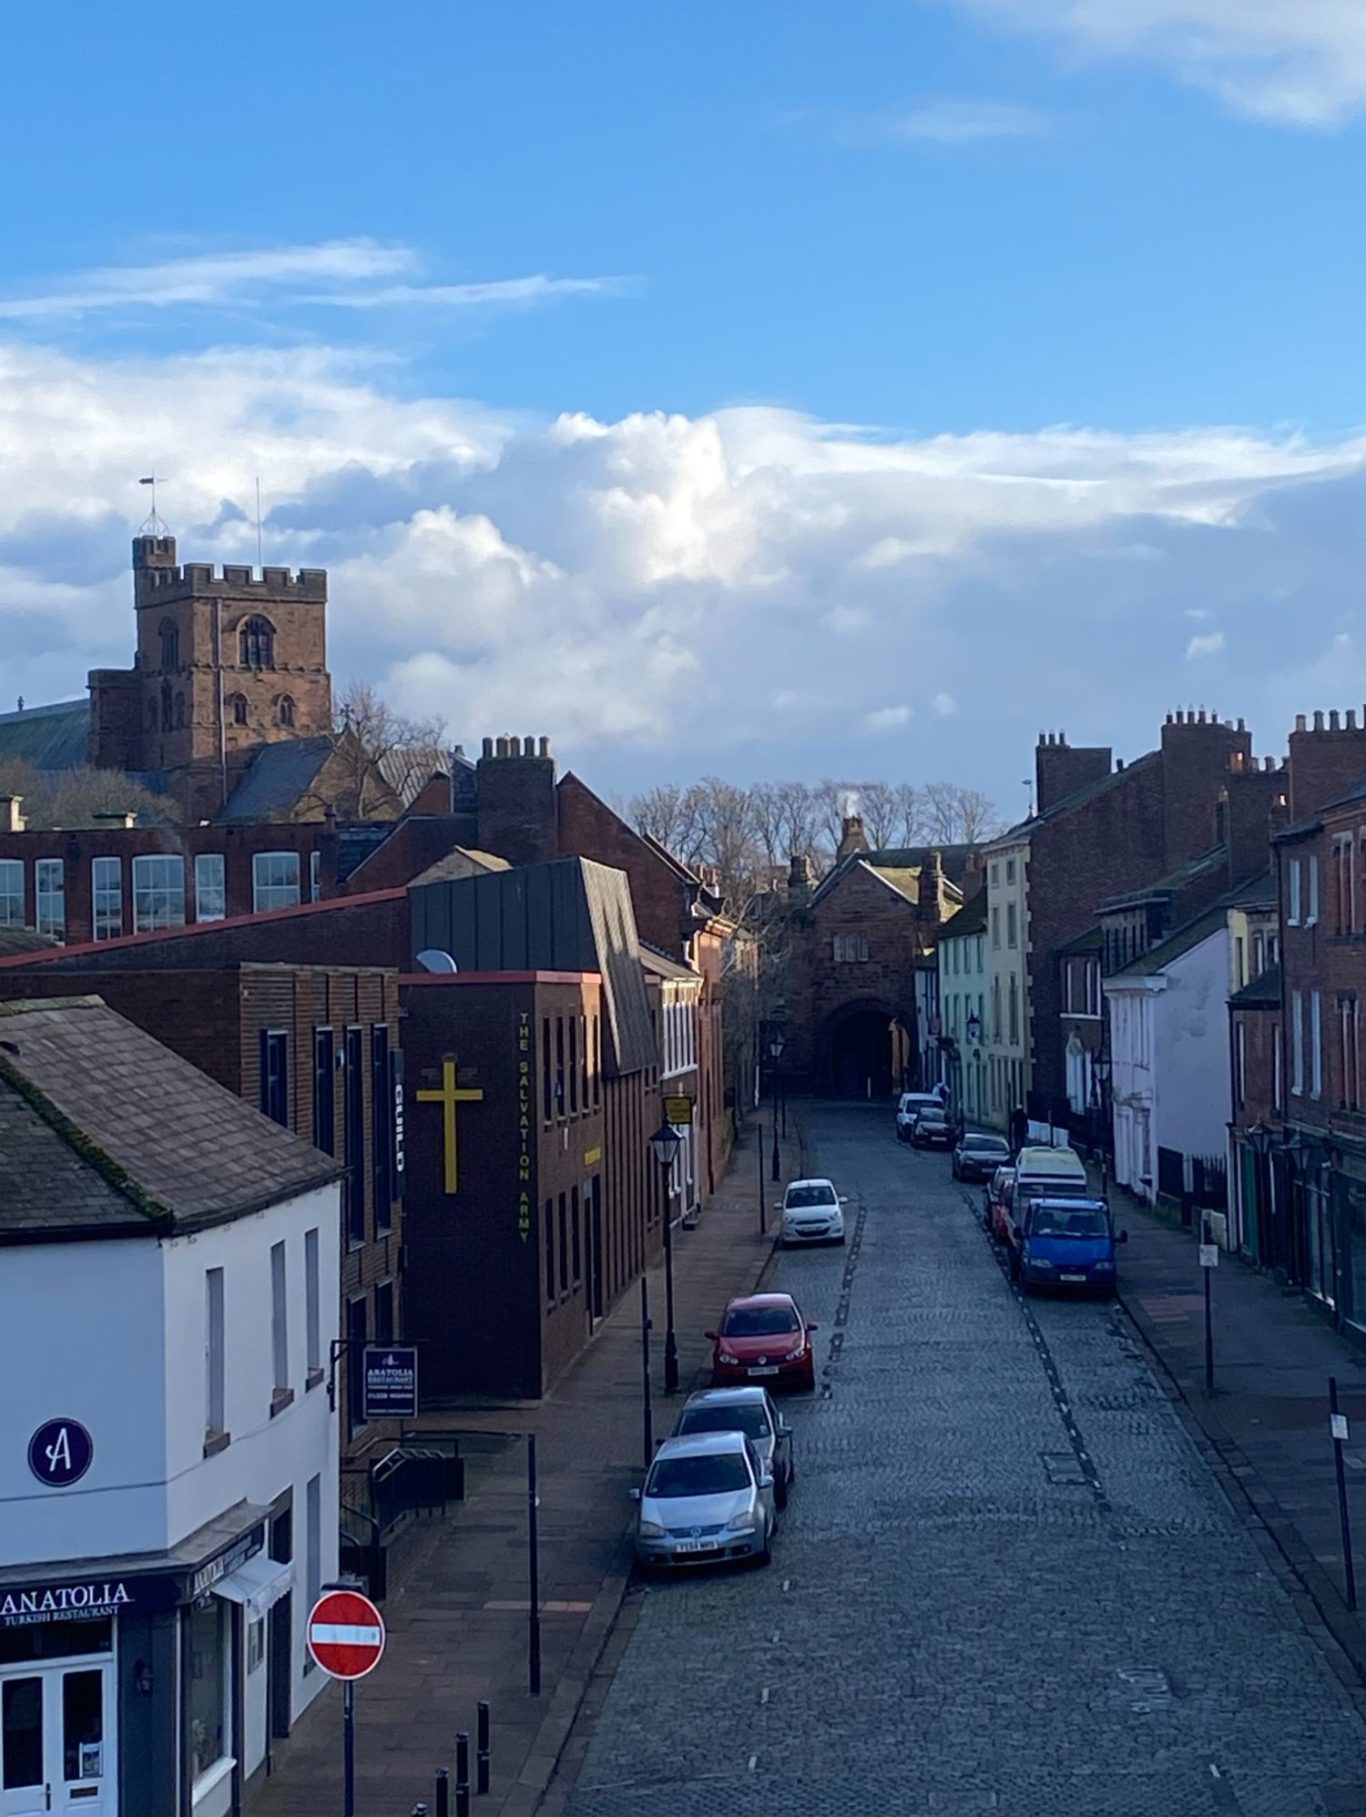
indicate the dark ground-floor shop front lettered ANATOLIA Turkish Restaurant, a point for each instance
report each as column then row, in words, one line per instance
column 139, row 1687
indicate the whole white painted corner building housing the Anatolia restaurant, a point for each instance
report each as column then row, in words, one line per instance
column 168, row 1504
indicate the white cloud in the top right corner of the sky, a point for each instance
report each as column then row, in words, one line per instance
column 1302, row 63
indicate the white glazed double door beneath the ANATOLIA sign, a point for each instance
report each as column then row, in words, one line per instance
column 57, row 1745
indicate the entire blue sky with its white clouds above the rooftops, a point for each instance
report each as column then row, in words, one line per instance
column 726, row 344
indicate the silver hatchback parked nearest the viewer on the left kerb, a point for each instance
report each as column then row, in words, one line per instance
column 706, row 1500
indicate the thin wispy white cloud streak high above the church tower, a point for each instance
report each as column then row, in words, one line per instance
column 335, row 273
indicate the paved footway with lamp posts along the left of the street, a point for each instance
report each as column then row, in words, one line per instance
column 459, row 1627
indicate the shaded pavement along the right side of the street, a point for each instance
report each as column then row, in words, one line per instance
column 1267, row 1418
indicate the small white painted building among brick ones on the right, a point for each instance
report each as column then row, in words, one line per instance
column 1169, row 1053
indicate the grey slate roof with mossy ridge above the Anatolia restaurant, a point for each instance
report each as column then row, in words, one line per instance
column 104, row 1131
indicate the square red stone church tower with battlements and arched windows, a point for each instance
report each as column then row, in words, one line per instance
column 224, row 666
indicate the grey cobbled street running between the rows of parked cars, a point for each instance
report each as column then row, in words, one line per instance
column 1007, row 1582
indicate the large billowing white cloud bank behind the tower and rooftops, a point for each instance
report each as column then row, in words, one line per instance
column 680, row 595
